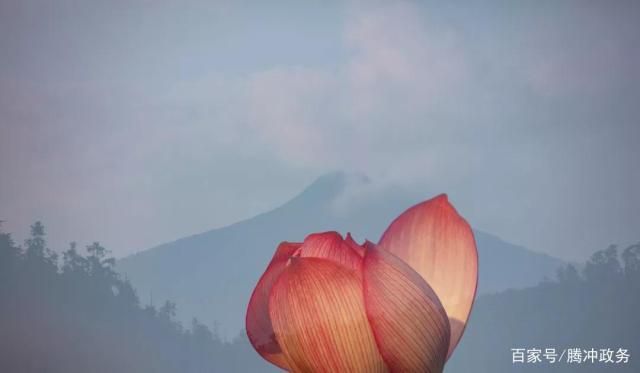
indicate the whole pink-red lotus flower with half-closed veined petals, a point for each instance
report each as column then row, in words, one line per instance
column 331, row 305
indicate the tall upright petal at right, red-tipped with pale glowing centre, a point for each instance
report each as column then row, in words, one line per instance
column 438, row 244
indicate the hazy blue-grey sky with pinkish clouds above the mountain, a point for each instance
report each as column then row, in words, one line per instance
column 139, row 122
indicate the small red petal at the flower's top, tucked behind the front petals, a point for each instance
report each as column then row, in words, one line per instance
column 331, row 246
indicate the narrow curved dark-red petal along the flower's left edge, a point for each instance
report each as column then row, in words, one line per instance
column 258, row 323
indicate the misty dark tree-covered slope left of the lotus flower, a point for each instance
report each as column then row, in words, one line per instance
column 72, row 312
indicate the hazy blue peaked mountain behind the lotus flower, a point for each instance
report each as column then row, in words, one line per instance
column 211, row 275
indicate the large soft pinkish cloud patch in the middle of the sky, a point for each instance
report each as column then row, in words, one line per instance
column 397, row 72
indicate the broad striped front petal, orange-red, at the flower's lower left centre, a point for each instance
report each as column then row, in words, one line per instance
column 318, row 314
